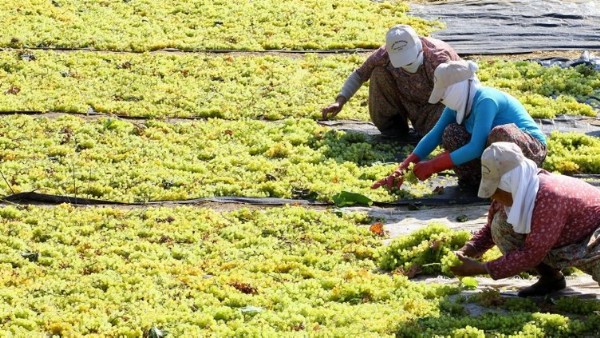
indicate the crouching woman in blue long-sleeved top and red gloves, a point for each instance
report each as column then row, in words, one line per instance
column 475, row 116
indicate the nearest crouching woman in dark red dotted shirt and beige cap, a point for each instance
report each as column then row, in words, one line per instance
column 538, row 220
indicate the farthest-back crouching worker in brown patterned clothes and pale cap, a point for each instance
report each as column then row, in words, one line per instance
column 401, row 80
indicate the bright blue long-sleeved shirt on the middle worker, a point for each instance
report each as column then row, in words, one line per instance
column 490, row 108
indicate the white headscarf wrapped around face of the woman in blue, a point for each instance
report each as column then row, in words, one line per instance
column 456, row 97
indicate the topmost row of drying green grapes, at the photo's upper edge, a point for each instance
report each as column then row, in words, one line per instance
column 191, row 25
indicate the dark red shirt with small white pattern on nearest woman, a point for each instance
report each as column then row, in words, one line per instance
column 566, row 211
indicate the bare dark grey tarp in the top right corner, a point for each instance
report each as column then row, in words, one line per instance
column 515, row 26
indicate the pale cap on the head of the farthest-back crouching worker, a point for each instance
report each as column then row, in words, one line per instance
column 403, row 45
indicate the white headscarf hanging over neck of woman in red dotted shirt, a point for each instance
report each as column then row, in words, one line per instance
column 523, row 183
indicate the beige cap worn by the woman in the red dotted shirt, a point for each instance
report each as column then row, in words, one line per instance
column 496, row 160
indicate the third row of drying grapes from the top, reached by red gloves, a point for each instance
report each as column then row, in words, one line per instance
column 118, row 160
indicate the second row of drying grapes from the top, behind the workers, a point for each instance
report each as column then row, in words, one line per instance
column 241, row 86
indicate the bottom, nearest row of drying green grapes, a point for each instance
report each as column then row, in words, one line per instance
column 68, row 271
